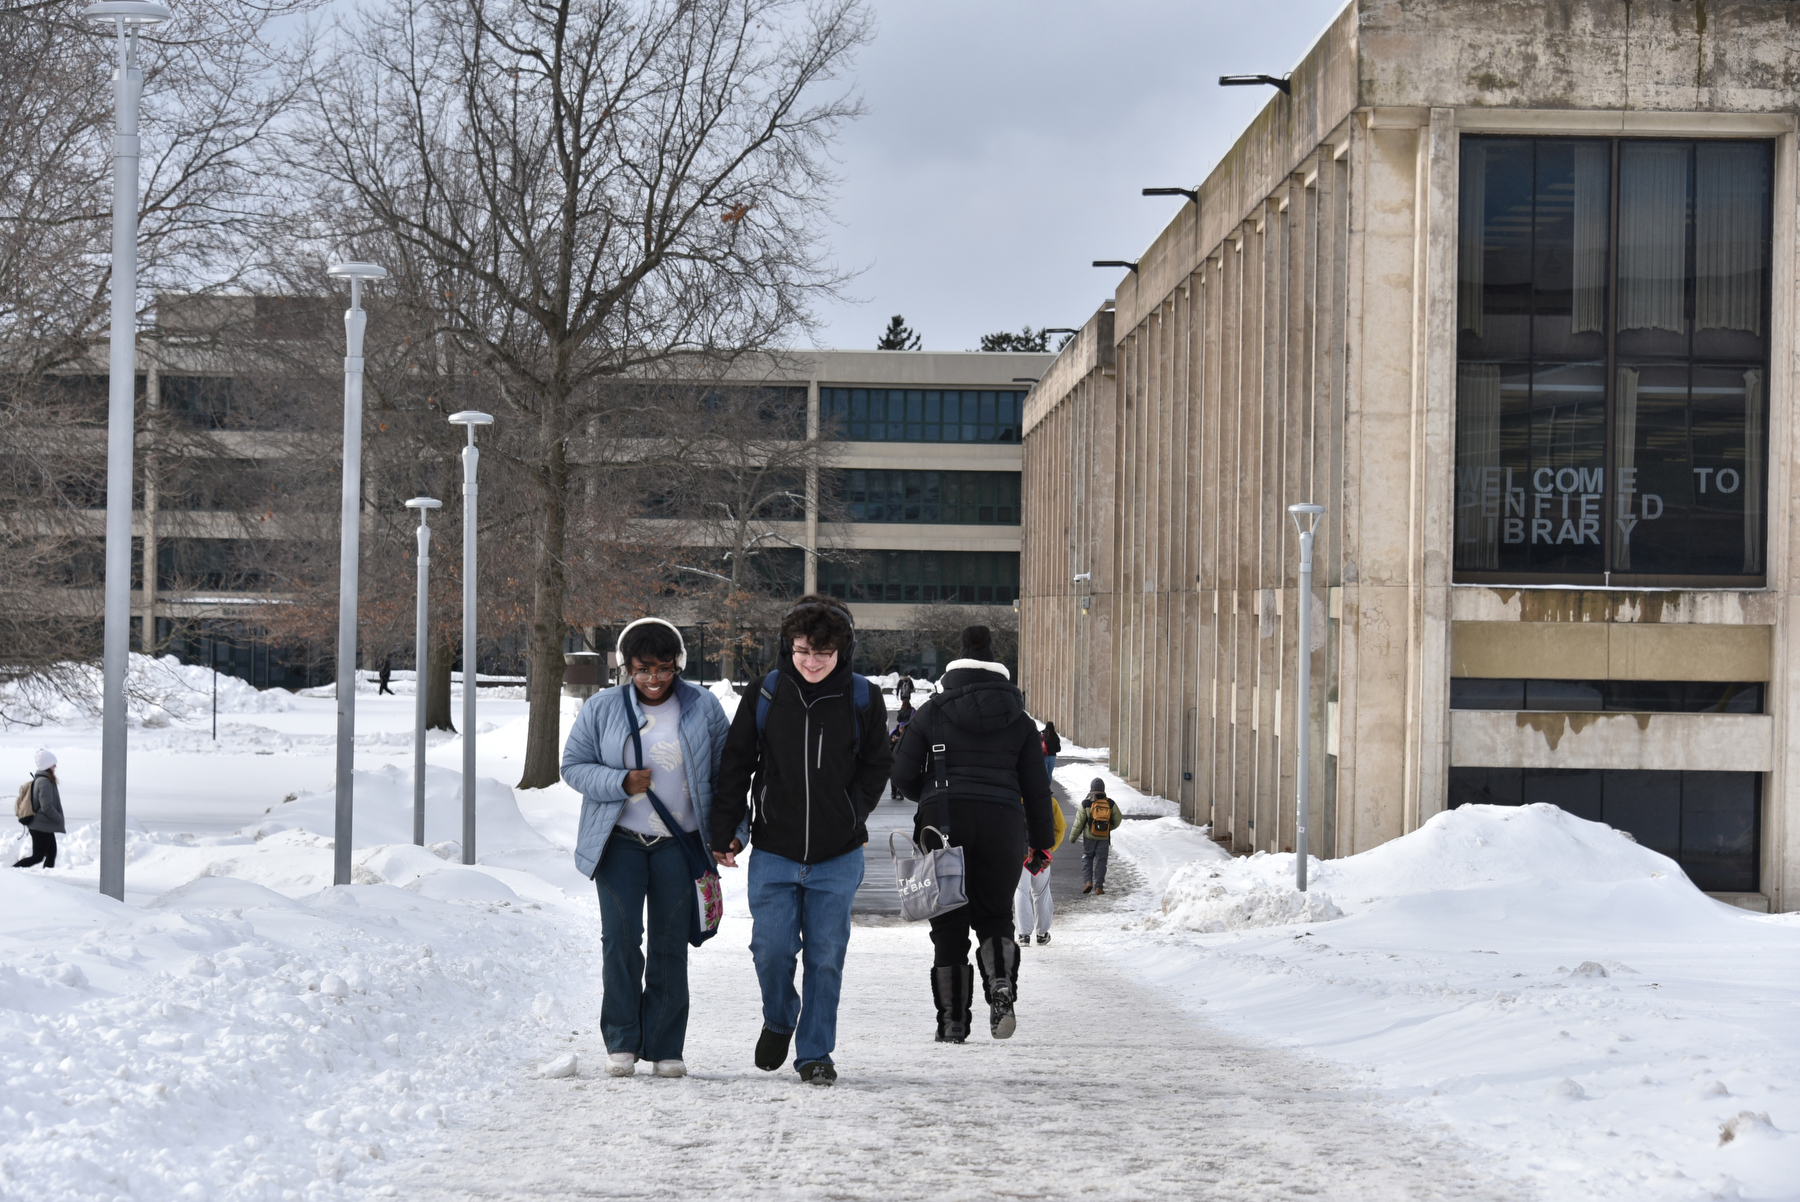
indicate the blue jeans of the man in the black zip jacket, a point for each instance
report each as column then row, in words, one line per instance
column 802, row 910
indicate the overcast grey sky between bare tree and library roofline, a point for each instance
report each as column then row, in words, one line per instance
column 1009, row 139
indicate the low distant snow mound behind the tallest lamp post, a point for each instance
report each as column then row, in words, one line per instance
column 159, row 690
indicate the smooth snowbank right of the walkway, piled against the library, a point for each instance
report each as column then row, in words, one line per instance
column 1536, row 985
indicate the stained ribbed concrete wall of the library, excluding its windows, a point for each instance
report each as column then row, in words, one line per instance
column 1293, row 339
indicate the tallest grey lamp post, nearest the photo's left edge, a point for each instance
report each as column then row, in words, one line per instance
column 127, row 17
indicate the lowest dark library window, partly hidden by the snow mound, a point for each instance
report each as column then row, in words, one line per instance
column 1705, row 821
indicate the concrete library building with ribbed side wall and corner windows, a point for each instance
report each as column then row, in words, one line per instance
column 1509, row 291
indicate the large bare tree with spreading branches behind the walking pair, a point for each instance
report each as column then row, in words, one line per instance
column 586, row 193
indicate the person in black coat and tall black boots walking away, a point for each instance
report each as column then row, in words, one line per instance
column 969, row 757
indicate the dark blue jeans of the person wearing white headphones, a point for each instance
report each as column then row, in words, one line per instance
column 643, row 1007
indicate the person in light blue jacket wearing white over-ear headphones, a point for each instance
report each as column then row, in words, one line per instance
column 645, row 758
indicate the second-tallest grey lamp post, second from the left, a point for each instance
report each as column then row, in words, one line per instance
column 350, row 548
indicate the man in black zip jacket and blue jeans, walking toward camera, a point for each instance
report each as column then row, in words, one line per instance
column 805, row 760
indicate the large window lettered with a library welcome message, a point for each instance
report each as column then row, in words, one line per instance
column 1614, row 361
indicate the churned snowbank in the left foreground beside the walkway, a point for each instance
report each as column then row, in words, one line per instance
column 233, row 1043
